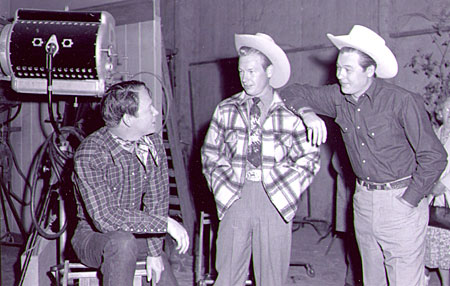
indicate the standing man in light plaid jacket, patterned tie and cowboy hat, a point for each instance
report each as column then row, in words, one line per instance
column 257, row 162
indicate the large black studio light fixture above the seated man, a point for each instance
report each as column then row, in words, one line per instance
column 70, row 53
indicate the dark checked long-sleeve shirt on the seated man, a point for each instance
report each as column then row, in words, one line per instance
column 116, row 192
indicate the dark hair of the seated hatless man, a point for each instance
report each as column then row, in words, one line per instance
column 120, row 99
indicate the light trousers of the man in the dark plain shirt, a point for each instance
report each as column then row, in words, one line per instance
column 391, row 237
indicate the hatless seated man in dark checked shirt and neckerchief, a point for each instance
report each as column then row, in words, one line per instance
column 123, row 191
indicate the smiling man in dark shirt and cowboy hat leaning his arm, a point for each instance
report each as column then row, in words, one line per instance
column 393, row 152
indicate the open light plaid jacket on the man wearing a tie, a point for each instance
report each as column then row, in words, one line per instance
column 289, row 161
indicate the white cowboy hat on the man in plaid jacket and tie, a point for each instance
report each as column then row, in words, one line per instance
column 266, row 45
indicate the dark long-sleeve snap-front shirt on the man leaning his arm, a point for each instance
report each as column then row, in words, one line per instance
column 387, row 133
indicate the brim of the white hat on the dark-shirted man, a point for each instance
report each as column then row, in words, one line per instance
column 387, row 66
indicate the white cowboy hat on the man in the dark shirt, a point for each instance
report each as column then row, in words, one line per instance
column 369, row 42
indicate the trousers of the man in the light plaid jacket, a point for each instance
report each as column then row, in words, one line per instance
column 253, row 228
